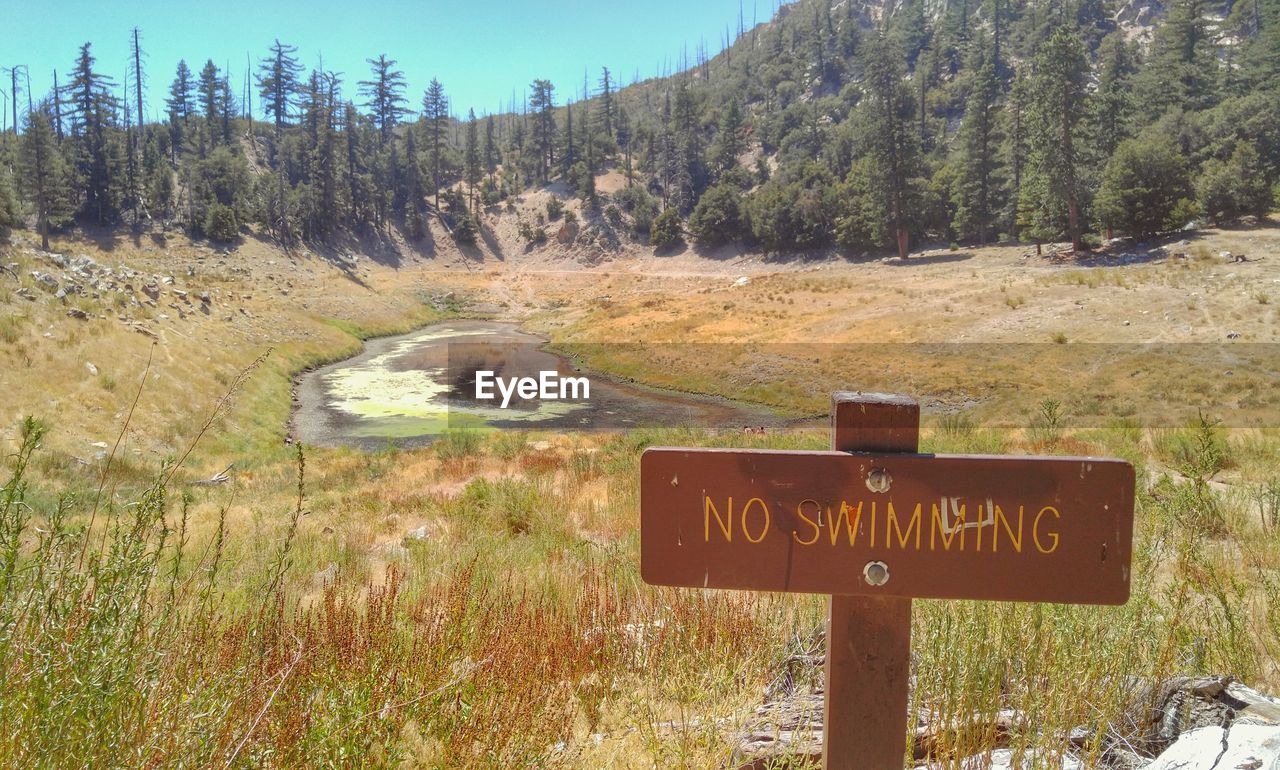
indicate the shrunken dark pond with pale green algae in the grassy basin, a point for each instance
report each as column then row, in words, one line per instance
column 412, row 388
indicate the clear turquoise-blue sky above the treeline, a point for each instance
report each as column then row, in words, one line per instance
column 482, row 52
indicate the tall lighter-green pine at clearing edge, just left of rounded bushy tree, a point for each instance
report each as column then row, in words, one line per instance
column 1058, row 89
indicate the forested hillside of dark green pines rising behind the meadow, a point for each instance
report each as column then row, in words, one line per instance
column 840, row 127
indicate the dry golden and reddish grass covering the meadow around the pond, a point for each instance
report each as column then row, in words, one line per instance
column 478, row 603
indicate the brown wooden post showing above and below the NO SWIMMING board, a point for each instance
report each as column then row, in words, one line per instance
column 868, row 639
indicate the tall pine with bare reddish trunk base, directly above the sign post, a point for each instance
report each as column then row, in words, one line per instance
column 892, row 143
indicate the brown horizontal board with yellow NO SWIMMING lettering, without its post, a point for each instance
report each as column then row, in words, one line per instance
column 1009, row 529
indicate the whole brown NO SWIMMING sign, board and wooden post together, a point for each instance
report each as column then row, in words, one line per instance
column 874, row 525
